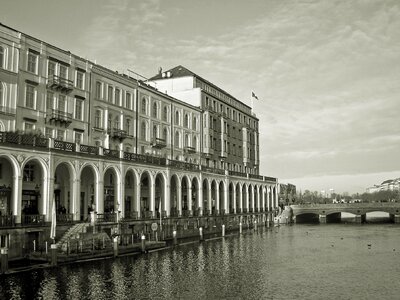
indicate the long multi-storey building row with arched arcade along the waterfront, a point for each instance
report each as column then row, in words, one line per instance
column 89, row 139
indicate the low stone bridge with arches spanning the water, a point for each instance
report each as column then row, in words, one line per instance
column 332, row 212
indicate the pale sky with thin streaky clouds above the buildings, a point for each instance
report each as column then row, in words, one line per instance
column 327, row 73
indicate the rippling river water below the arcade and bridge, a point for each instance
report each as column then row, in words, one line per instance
column 333, row 261
